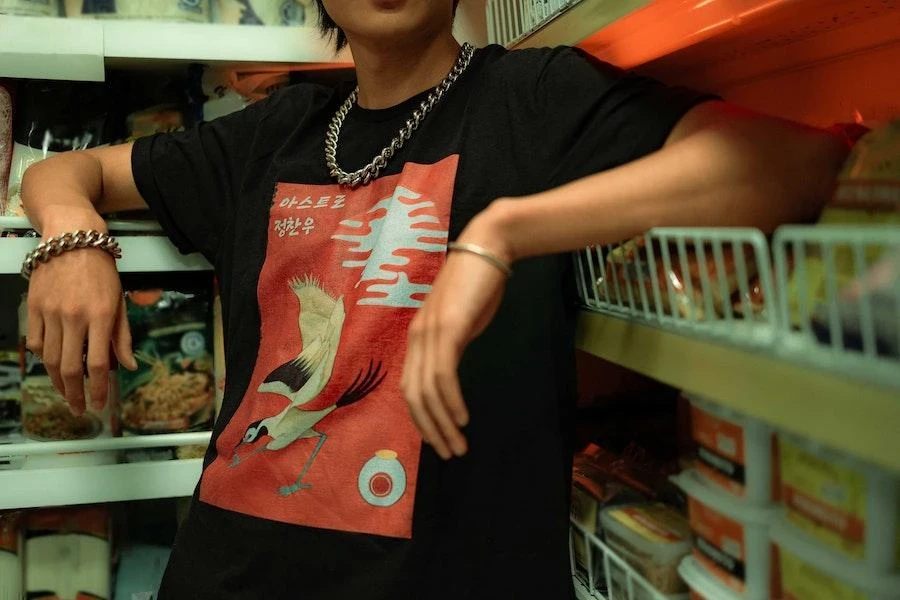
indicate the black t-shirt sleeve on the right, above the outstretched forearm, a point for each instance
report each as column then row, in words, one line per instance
column 593, row 116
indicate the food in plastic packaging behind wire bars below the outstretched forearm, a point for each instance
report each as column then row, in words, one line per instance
column 628, row 268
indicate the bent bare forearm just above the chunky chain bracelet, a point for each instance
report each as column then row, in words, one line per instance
column 59, row 193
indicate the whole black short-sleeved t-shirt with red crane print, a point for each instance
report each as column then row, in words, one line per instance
column 317, row 485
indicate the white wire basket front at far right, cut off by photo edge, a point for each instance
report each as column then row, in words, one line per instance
column 839, row 299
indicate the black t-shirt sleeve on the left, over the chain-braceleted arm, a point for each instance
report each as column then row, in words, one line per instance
column 192, row 179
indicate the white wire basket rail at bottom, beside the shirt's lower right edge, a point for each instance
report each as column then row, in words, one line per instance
column 617, row 579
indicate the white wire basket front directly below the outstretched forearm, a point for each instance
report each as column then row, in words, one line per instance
column 707, row 282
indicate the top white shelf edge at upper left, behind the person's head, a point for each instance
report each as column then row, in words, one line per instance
column 80, row 49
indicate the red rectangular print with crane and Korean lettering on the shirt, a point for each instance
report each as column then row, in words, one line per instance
column 323, row 437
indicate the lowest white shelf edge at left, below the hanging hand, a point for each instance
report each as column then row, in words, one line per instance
column 106, row 483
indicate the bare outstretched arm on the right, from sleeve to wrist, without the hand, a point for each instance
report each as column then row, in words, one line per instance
column 743, row 173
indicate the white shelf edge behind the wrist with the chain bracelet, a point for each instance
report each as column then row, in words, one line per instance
column 139, row 255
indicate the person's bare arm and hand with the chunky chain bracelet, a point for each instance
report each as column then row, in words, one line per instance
column 76, row 313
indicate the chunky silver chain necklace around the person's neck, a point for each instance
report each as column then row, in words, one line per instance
column 371, row 170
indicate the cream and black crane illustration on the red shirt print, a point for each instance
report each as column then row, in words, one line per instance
column 302, row 379
